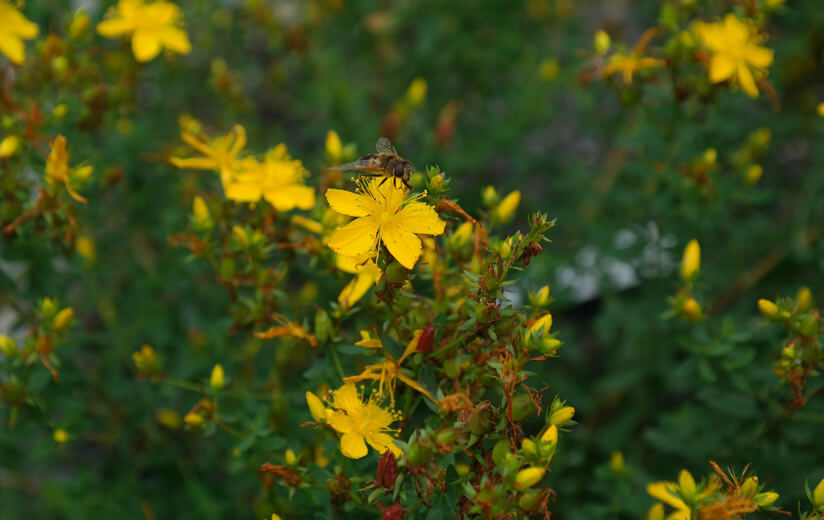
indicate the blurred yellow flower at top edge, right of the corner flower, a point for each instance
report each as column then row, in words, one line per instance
column 153, row 26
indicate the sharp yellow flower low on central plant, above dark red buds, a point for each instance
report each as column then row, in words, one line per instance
column 361, row 422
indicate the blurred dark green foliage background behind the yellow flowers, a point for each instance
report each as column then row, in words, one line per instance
column 510, row 102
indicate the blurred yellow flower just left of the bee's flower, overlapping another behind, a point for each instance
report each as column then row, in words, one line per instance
column 279, row 179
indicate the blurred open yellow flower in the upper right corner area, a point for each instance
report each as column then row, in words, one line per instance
column 736, row 52
